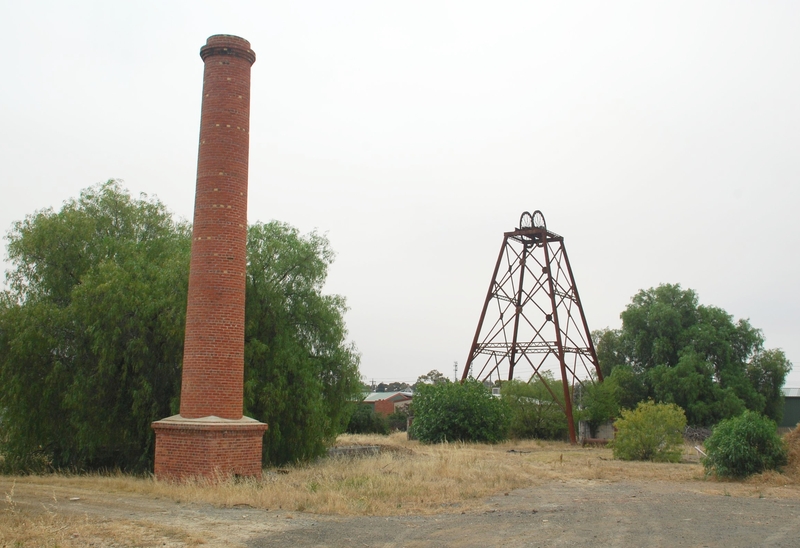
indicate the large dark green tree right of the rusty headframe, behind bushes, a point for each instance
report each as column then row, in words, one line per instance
column 674, row 350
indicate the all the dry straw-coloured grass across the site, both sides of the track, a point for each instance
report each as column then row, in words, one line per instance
column 404, row 478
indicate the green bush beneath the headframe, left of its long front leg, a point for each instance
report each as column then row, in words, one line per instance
column 533, row 411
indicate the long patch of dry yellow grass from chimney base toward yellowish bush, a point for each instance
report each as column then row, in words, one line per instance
column 406, row 477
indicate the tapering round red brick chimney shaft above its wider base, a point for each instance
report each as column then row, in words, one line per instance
column 213, row 363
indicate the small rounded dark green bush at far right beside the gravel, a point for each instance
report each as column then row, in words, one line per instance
column 744, row 445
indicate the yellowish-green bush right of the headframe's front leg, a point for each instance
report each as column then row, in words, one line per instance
column 652, row 431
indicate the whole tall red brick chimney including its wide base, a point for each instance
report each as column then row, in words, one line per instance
column 210, row 437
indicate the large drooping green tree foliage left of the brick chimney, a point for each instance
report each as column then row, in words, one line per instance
column 91, row 330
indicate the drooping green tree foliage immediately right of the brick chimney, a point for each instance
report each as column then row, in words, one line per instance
column 301, row 375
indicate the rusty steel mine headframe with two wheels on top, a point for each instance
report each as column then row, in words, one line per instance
column 532, row 320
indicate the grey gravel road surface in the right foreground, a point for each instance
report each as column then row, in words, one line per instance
column 589, row 514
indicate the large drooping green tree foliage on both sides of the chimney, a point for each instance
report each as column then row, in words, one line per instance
column 92, row 326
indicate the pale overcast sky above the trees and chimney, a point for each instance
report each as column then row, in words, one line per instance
column 661, row 139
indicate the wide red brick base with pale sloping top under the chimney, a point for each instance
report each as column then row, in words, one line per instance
column 208, row 447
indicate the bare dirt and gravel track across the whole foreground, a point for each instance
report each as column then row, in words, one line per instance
column 571, row 512
